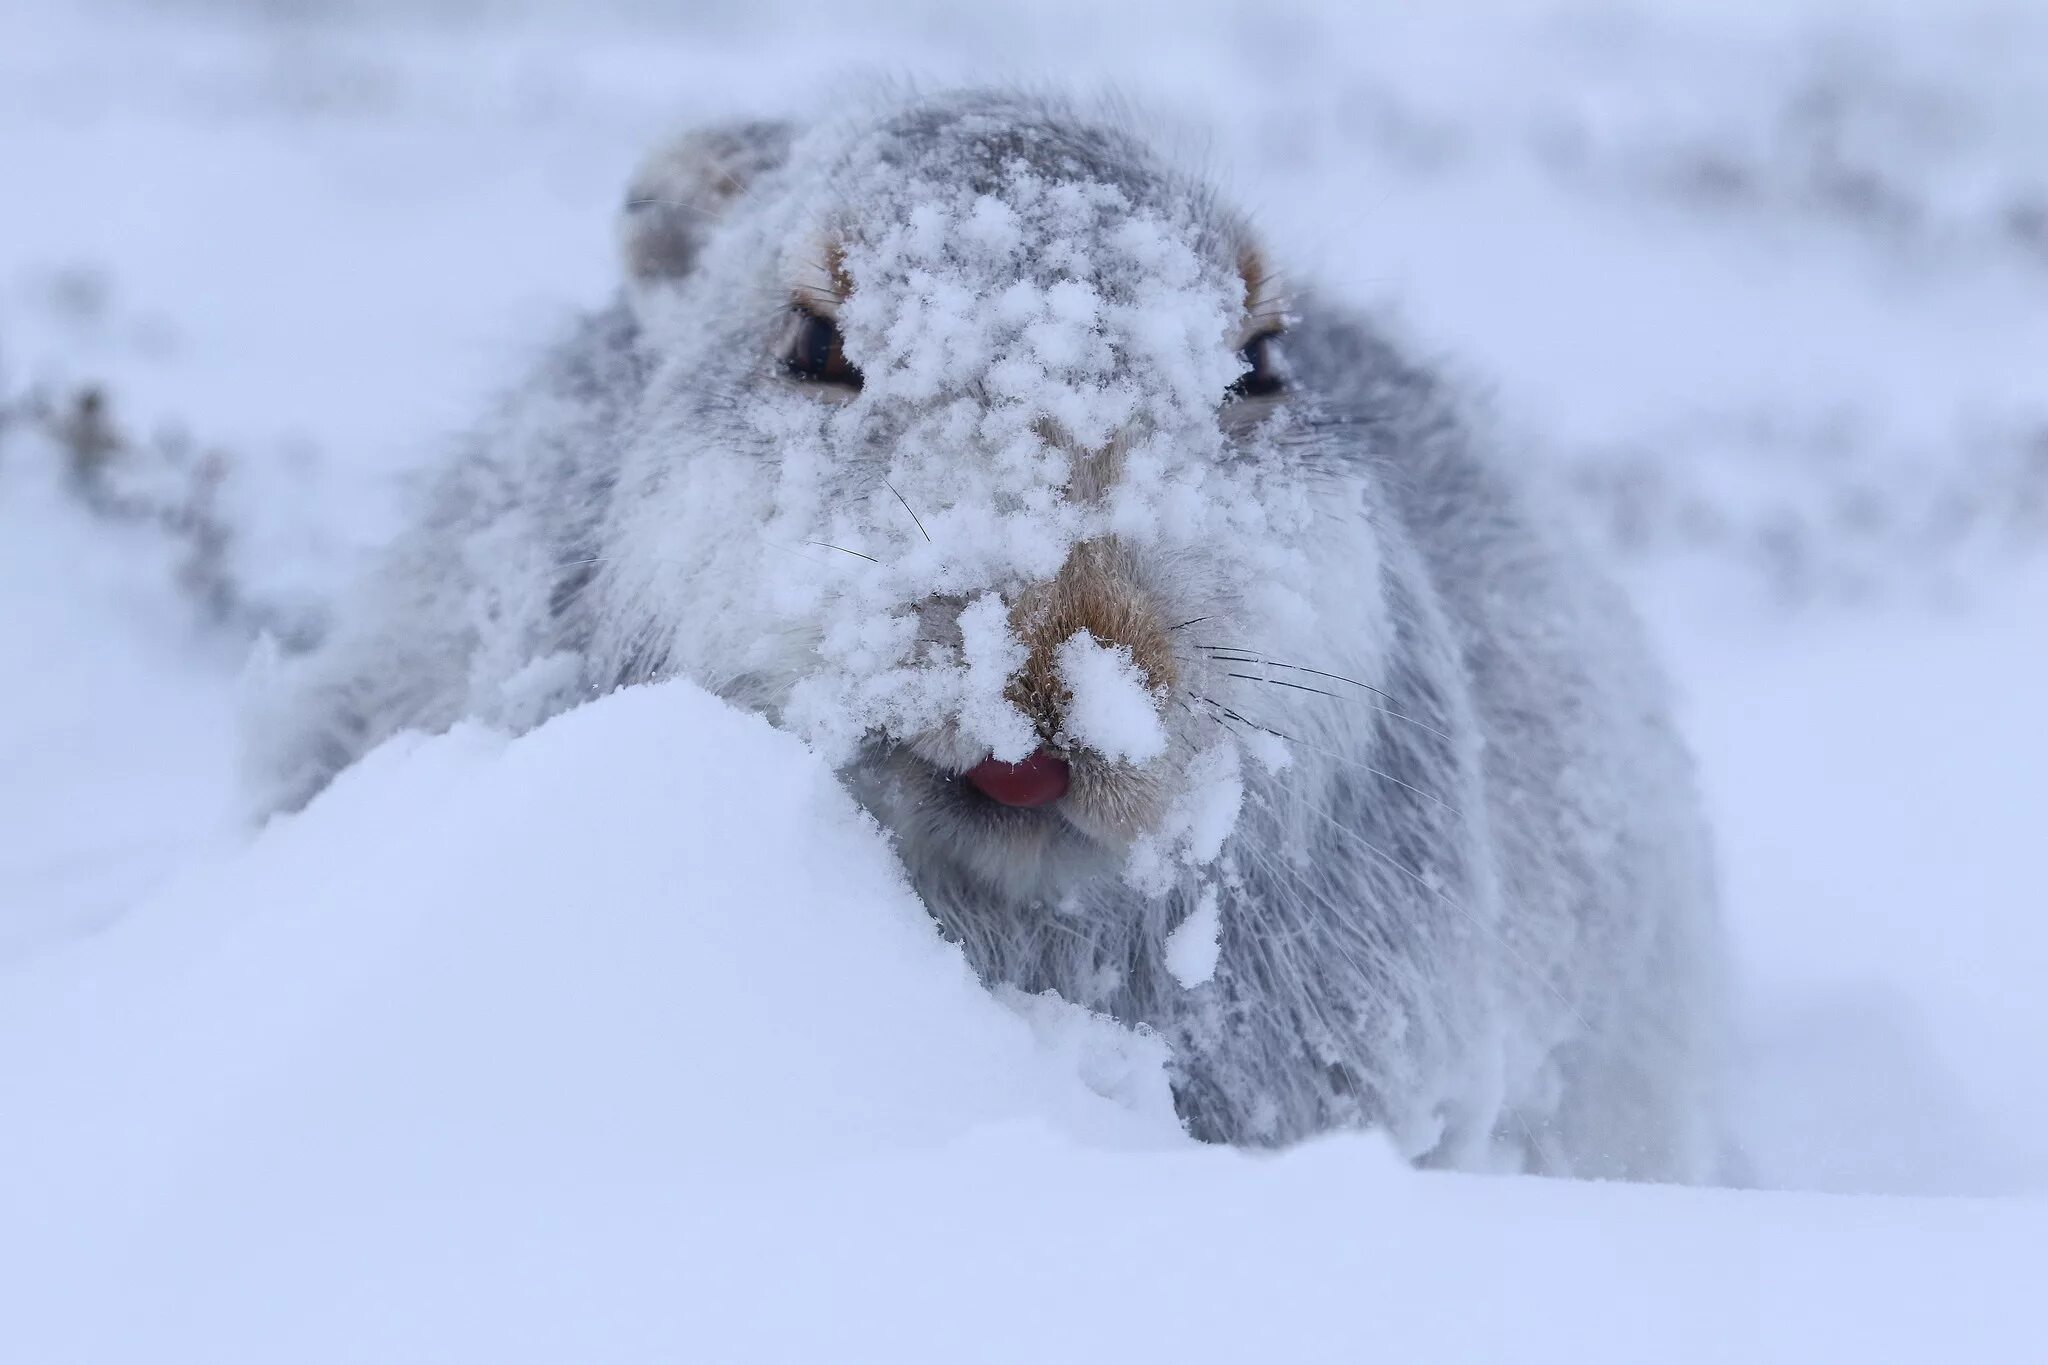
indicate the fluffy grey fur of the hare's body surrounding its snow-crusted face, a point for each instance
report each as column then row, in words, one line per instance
column 1476, row 912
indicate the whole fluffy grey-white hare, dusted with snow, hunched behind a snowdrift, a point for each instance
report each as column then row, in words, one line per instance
column 1420, row 764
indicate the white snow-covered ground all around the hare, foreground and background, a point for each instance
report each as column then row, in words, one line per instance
column 577, row 1047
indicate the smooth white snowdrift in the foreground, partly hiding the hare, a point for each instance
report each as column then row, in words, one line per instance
column 626, row 1043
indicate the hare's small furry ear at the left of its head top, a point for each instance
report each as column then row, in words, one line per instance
column 683, row 189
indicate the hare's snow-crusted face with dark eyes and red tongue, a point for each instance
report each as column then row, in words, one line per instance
column 1005, row 410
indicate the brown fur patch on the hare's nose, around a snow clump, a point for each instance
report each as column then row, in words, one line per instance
column 1097, row 590
